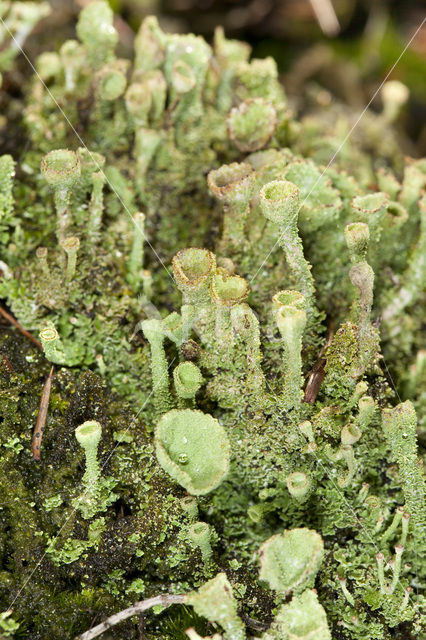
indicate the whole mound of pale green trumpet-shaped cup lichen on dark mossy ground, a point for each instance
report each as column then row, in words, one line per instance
column 222, row 393
